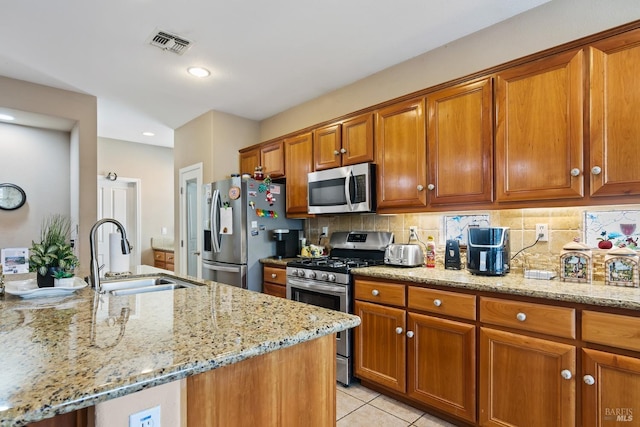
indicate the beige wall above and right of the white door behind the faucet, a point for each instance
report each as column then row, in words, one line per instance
column 153, row 166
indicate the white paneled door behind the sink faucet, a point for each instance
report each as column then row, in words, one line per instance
column 119, row 200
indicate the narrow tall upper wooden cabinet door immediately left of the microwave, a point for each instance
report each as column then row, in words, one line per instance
column 299, row 162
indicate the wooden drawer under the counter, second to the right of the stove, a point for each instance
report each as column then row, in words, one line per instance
column 442, row 302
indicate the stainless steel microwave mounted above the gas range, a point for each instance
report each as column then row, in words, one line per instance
column 347, row 189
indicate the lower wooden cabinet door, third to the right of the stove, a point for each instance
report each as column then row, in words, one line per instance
column 521, row 382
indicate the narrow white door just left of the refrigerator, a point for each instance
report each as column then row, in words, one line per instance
column 190, row 219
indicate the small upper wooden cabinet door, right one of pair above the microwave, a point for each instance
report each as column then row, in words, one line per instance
column 357, row 140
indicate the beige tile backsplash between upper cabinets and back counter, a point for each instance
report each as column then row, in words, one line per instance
column 565, row 224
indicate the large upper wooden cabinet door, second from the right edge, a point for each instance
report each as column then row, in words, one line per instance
column 539, row 130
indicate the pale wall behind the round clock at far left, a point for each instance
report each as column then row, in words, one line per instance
column 37, row 160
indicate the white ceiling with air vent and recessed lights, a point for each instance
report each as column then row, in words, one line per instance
column 265, row 56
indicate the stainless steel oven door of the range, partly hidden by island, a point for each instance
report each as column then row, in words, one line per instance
column 322, row 294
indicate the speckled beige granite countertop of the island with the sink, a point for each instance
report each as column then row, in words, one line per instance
column 64, row 353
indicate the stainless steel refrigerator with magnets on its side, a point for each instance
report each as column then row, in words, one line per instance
column 239, row 218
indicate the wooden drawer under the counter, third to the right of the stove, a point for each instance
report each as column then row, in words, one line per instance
column 557, row 321
